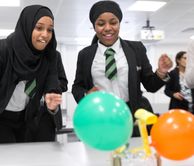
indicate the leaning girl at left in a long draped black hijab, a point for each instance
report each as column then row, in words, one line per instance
column 28, row 71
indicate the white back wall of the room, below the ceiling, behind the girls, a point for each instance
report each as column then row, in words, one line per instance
column 158, row 100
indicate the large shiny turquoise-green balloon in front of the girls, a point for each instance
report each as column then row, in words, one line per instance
column 103, row 121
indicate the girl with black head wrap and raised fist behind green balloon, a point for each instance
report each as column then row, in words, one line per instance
column 132, row 65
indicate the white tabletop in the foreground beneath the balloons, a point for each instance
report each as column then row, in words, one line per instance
column 64, row 154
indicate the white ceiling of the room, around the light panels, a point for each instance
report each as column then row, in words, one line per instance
column 72, row 23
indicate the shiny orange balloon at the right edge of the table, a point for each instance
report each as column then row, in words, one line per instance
column 173, row 134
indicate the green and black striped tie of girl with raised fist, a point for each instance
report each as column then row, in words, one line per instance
column 111, row 68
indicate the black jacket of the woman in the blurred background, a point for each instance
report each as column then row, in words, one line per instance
column 173, row 86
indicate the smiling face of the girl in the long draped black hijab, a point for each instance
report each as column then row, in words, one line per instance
column 42, row 33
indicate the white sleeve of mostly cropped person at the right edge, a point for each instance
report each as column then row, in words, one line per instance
column 189, row 72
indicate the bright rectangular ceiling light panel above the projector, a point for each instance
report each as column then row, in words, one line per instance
column 146, row 5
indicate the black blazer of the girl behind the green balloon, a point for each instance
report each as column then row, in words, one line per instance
column 140, row 71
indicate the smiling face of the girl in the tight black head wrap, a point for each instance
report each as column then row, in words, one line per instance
column 107, row 28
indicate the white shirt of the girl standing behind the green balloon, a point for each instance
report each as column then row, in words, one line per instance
column 119, row 86
